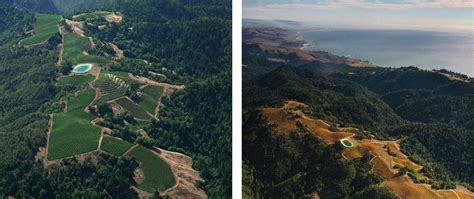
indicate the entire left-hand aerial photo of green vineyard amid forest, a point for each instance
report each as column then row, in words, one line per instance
column 104, row 99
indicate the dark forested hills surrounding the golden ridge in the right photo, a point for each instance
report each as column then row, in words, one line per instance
column 427, row 111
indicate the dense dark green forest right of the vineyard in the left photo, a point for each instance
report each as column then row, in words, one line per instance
column 192, row 39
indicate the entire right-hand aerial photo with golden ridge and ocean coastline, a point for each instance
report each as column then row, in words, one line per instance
column 358, row 99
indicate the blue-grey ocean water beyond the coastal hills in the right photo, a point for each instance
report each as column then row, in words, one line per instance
column 396, row 48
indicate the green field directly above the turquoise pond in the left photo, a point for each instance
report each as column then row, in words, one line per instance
column 74, row 46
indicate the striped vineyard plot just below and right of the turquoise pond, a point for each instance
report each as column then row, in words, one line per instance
column 109, row 88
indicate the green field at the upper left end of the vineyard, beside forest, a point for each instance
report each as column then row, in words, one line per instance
column 44, row 27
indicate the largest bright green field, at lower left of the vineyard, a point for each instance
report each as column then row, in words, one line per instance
column 72, row 132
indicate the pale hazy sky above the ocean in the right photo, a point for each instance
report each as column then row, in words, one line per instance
column 418, row 14
